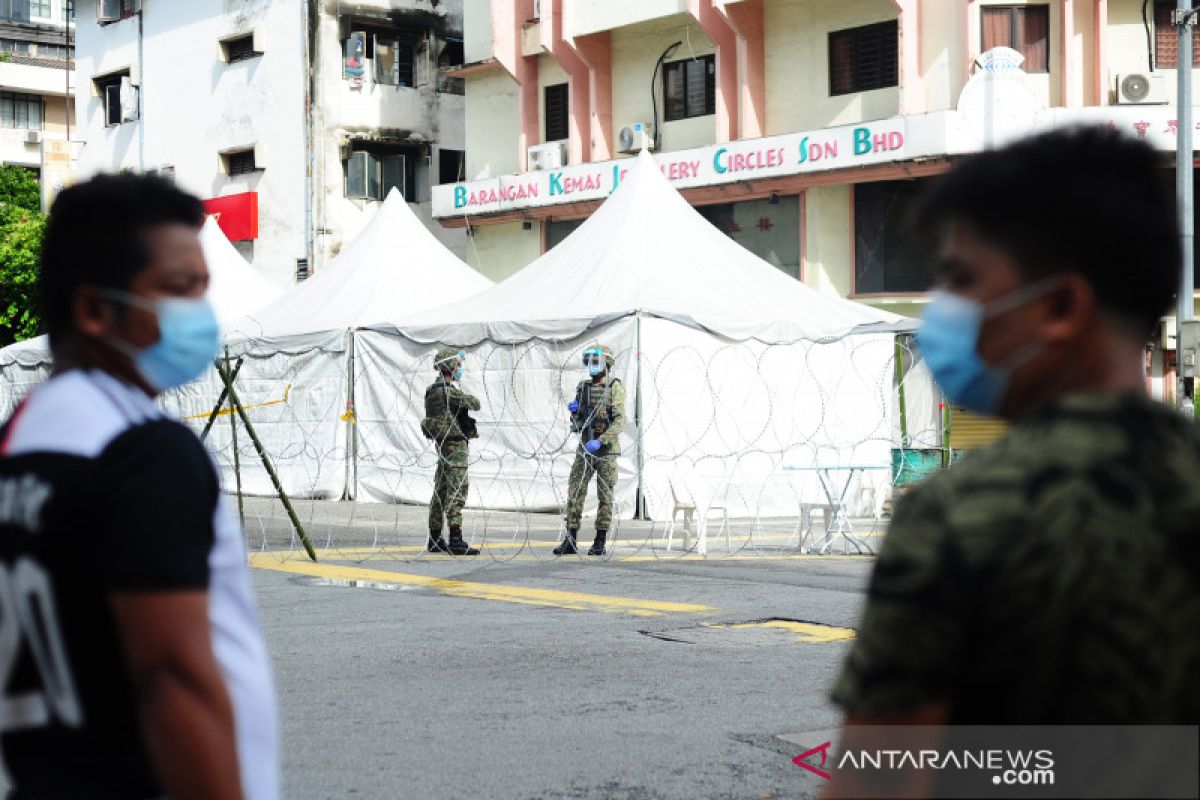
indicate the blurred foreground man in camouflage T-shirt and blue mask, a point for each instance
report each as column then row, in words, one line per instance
column 1054, row 578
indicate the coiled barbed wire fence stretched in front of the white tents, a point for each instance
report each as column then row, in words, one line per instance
column 765, row 449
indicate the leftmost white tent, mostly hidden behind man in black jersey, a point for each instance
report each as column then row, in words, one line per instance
column 236, row 288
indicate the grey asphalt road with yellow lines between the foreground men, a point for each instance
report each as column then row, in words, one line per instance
column 641, row 676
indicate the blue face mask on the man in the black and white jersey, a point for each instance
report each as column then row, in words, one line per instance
column 189, row 340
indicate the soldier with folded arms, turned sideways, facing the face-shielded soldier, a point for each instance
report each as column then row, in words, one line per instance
column 451, row 428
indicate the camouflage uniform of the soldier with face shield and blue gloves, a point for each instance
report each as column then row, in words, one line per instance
column 603, row 408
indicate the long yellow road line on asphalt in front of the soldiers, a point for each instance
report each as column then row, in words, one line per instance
column 525, row 596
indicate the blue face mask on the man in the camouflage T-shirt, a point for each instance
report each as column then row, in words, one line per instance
column 949, row 338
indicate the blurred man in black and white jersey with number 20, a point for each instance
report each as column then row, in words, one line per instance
column 115, row 563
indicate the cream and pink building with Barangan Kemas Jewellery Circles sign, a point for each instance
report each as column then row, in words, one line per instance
column 805, row 129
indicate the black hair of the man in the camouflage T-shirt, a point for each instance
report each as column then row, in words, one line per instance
column 1084, row 200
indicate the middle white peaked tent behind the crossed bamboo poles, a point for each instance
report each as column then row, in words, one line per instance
column 298, row 353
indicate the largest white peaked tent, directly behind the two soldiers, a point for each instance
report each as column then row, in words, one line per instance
column 741, row 378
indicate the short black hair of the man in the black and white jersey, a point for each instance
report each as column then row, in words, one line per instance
column 97, row 237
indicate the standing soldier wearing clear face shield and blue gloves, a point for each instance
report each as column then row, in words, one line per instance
column 598, row 416
